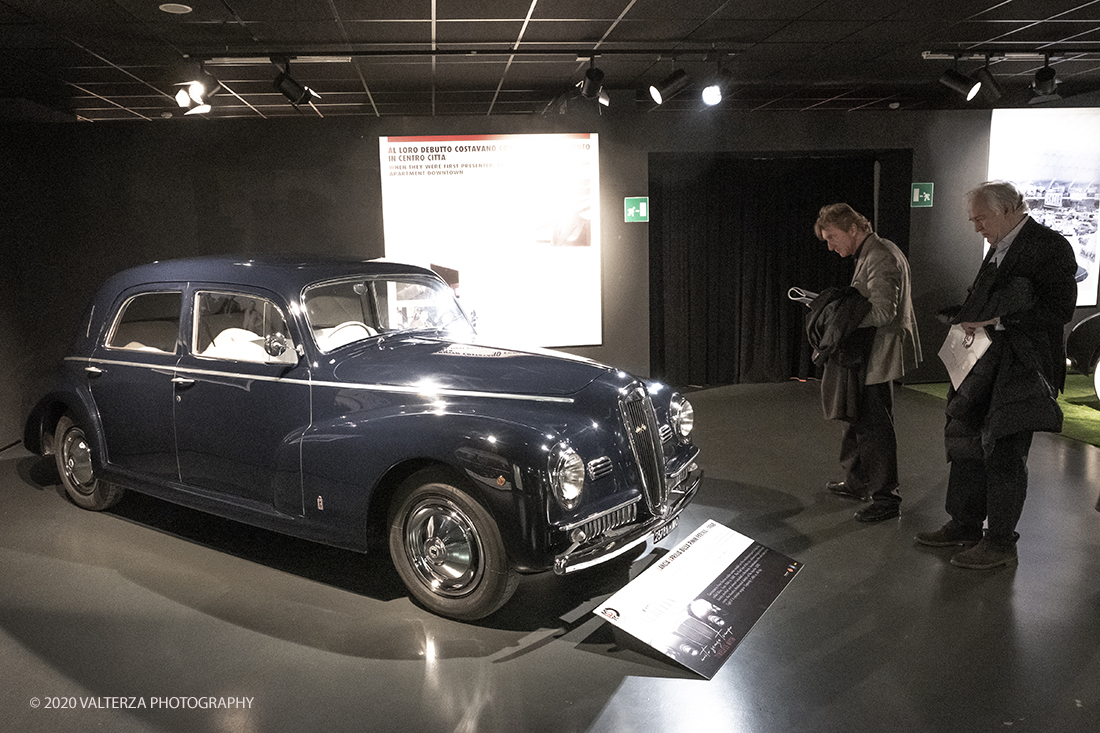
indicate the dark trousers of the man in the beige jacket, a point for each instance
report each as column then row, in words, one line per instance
column 870, row 447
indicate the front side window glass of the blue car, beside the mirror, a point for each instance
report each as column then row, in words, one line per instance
column 239, row 327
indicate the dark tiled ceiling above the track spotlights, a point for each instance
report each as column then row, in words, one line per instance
column 123, row 60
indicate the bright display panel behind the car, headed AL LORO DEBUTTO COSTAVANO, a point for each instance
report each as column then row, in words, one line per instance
column 511, row 222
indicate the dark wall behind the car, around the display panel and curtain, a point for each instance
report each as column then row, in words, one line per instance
column 80, row 202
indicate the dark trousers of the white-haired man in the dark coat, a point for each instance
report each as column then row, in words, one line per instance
column 995, row 488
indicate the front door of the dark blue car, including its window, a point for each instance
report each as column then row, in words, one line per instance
column 240, row 411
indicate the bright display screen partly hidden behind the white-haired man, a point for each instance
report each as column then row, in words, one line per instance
column 1054, row 157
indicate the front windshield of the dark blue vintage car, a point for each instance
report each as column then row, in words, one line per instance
column 351, row 311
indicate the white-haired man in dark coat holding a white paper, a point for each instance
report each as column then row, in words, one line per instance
column 1024, row 297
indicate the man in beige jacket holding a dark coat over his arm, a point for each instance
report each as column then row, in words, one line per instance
column 870, row 447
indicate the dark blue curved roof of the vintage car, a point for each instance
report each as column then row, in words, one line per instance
column 288, row 275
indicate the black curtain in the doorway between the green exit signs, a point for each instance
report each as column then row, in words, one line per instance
column 731, row 235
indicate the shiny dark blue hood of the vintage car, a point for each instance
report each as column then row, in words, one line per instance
column 415, row 363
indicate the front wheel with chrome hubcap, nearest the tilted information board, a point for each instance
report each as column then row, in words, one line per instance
column 448, row 550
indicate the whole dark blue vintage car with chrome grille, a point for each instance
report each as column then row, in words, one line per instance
column 349, row 401
